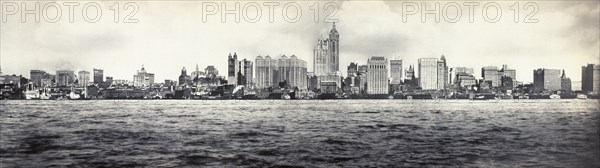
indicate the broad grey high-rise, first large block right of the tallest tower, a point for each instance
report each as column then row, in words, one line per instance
column 377, row 75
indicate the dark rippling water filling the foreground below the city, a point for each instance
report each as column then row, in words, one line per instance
column 309, row 133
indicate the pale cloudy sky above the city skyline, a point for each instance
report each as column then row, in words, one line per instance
column 170, row 35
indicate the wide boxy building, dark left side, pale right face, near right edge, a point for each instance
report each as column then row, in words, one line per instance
column 546, row 80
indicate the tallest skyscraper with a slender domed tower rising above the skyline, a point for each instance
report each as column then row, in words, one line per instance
column 326, row 57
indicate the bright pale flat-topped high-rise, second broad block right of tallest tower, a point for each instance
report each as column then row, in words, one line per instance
column 428, row 73
